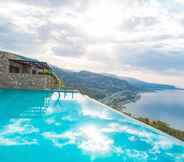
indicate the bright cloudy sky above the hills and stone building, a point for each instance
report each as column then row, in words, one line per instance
column 143, row 39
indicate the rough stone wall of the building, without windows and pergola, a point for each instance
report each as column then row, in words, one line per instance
column 23, row 80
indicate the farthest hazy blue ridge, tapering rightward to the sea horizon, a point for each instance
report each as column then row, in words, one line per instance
column 143, row 86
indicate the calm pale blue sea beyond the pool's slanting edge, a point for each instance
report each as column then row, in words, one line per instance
column 167, row 106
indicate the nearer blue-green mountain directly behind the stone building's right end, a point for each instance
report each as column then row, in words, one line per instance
column 95, row 85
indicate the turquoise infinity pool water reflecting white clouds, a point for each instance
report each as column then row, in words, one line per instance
column 36, row 126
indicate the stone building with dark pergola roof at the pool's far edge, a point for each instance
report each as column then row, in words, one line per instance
column 21, row 72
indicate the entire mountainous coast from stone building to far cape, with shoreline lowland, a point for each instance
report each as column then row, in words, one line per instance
column 109, row 89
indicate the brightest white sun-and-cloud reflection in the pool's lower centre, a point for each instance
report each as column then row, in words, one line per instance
column 90, row 139
